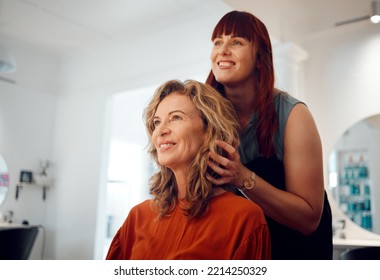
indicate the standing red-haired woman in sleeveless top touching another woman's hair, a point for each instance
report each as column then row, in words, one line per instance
column 279, row 162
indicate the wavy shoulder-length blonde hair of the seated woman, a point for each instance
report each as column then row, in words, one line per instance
column 220, row 122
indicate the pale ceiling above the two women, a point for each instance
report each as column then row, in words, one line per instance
column 61, row 26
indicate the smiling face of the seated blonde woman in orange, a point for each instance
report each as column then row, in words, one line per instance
column 178, row 132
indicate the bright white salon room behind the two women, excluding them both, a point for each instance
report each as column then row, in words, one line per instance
column 76, row 75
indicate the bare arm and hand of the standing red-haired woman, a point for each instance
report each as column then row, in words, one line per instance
column 300, row 206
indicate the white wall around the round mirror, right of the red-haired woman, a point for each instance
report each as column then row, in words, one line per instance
column 342, row 86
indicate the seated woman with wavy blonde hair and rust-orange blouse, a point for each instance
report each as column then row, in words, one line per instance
column 188, row 217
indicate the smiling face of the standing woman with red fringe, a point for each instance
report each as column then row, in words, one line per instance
column 233, row 60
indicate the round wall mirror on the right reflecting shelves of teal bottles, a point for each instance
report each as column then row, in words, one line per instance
column 354, row 179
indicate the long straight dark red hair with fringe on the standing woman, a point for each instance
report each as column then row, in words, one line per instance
column 246, row 25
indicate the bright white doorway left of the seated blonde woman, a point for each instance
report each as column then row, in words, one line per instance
column 129, row 165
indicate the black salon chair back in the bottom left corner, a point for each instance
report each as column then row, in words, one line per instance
column 17, row 243
